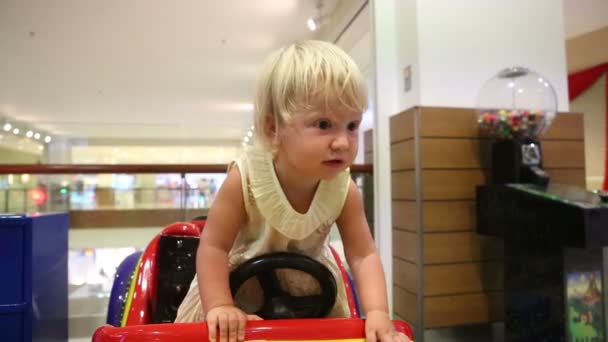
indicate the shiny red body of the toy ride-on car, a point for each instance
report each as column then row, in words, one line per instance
column 137, row 321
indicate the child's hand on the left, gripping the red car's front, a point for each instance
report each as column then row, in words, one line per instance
column 230, row 321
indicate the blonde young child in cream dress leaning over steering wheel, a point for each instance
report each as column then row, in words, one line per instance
column 287, row 190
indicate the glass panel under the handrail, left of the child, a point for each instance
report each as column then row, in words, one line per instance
column 50, row 193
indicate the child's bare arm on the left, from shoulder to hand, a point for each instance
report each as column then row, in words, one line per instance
column 226, row 216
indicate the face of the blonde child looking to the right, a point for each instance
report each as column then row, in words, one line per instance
column 320, row 143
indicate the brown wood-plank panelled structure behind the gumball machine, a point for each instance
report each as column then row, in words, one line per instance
column 442, row 268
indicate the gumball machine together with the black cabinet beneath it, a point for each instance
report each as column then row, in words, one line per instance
column 555, row 237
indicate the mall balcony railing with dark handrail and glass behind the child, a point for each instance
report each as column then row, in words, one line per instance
column 125, row 195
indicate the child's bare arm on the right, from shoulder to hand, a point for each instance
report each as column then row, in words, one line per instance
column 365, row 264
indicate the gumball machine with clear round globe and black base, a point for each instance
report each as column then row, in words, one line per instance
column 513, row 109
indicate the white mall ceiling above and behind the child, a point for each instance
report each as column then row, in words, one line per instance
column 154, row 69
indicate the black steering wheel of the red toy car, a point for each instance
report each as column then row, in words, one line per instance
column 278, row 303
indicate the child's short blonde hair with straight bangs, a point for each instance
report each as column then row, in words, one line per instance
column 293, row 77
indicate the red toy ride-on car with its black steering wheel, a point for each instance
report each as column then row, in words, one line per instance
column 149, row 287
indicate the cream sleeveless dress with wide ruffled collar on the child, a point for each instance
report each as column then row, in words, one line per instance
column 274, row 226
